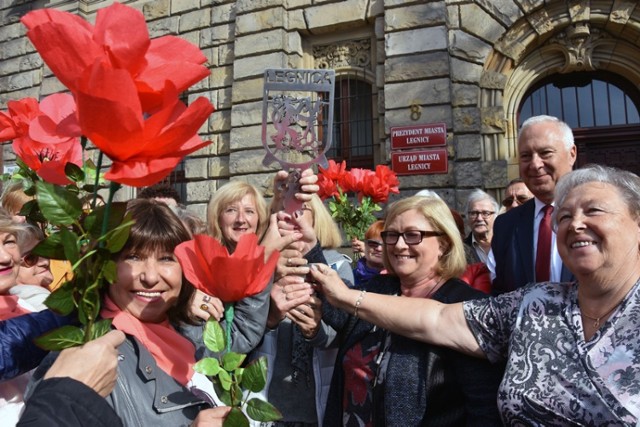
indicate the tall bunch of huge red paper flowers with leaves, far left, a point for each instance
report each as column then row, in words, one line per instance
column 124, row 97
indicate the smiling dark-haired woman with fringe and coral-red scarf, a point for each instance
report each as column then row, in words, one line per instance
column 149, row 301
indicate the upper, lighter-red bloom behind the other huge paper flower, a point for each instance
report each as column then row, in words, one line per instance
column 69, row 45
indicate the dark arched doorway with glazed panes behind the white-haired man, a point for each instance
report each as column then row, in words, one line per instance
column 602, row 109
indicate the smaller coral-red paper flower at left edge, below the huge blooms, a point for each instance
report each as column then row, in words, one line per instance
column 44, row 136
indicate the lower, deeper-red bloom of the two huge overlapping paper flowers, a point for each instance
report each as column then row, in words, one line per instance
column 143, row 150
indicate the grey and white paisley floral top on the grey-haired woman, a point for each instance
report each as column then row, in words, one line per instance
column 554, row 376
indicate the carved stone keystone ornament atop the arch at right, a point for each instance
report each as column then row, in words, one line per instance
column 576, row 43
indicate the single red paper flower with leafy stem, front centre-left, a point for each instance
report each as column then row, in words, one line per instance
column 207, row 264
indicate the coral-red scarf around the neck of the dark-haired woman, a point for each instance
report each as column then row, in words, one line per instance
column 173, row 353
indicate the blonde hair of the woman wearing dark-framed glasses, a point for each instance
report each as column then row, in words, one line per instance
column 452, row 263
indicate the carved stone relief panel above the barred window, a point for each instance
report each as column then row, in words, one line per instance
column 348, row 53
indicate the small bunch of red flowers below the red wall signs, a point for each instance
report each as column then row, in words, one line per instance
column 369, row 187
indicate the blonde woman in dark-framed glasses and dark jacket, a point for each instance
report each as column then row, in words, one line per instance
column 381, row 378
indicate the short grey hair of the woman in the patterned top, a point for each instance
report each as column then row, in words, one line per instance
column 627, row 183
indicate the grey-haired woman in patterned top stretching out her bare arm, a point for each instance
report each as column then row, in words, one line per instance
column 572, row 349
